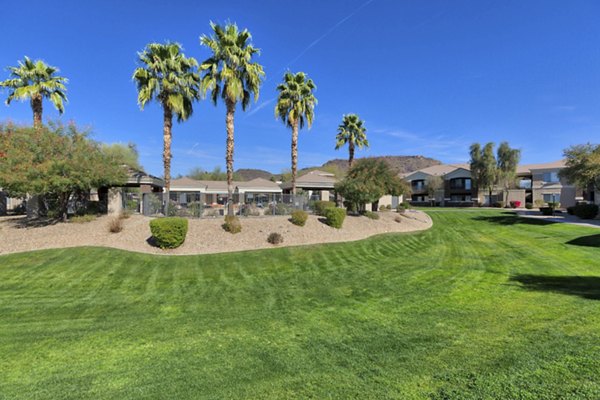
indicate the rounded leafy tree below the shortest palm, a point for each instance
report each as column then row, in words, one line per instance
column 367, row 181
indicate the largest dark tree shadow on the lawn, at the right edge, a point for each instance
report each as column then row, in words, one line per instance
column 587, row 287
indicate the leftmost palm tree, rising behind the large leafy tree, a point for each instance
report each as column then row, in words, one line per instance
column 36, row 80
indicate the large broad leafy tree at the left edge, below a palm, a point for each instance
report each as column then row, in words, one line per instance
column 55, row 162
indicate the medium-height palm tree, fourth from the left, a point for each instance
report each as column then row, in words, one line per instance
column 295, row 107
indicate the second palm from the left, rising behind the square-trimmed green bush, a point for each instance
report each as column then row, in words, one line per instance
column 169, row 77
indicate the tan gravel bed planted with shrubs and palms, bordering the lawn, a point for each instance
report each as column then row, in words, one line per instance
column 204, row 235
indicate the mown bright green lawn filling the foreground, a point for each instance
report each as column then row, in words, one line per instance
column 482, row 306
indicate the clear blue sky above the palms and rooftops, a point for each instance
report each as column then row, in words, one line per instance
column 428, row 77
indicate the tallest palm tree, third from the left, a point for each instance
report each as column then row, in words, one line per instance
column 230, row 74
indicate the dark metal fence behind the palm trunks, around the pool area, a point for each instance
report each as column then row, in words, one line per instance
column 191, row 206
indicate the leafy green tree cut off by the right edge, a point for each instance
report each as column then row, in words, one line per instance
column 582, row 165
